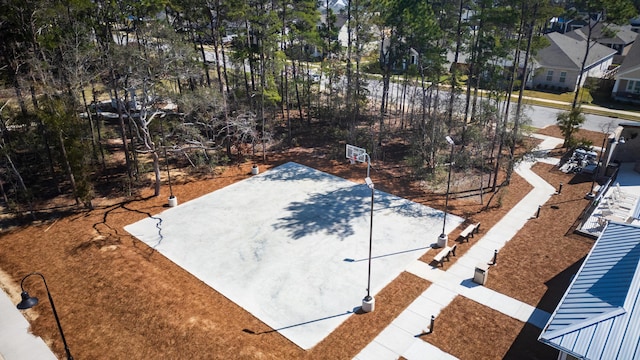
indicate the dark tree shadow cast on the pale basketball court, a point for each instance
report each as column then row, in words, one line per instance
column 334, row 212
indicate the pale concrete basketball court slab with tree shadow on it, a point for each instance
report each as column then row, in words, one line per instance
column 291, row 245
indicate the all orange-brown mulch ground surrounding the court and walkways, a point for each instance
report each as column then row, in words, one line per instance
column 117, row 298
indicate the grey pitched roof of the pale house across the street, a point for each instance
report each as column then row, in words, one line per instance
column 567, row 53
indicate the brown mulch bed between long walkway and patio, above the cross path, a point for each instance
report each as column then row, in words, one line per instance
column 532, row 276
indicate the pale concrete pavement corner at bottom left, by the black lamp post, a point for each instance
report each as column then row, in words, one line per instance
column 16, row 342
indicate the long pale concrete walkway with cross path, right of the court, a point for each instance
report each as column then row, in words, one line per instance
column 399, row 338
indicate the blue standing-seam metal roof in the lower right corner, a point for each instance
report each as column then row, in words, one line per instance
column 599, row 315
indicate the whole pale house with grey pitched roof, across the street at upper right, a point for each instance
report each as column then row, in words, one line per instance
column 558, row 65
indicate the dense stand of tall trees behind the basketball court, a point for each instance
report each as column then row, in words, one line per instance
column 194, row 84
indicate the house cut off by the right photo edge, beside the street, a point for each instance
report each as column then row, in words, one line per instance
column 627, row 85
